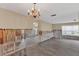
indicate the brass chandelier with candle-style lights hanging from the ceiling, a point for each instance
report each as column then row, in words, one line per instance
column 34, row 12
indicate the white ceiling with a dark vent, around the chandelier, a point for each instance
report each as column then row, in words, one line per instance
column 65, row 12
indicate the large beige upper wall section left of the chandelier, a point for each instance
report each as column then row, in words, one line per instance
column 13, row 20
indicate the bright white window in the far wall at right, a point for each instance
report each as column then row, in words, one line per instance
column 70, row 30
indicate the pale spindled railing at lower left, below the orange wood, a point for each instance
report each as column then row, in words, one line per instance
column 8, row 47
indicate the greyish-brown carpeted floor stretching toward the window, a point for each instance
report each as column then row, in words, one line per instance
column 55, row 47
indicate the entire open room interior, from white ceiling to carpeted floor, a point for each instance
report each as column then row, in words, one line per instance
column 39, row 29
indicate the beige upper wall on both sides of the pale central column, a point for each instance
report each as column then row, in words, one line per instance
column 12, row 20
